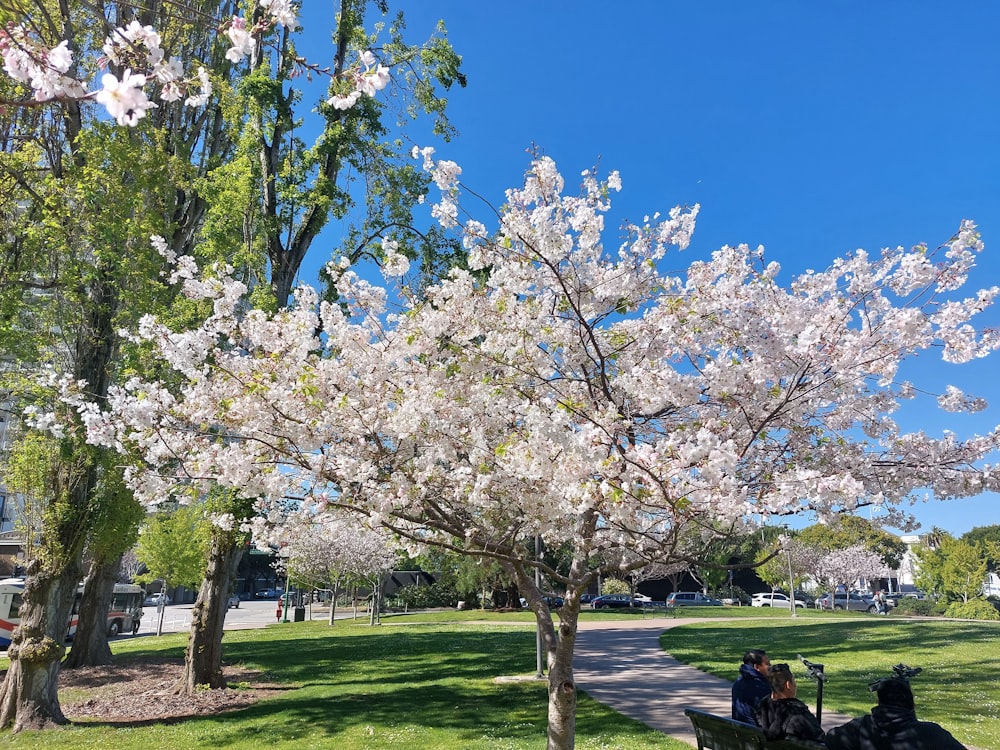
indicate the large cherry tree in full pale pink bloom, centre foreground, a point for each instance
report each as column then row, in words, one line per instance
column 564, row 390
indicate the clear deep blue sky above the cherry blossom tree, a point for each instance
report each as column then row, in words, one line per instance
column 810, row 128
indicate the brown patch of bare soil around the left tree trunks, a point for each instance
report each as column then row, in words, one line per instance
column 139, row 691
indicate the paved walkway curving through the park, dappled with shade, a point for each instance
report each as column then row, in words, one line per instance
column 620, row 664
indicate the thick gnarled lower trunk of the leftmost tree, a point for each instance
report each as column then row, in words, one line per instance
column 29, row 698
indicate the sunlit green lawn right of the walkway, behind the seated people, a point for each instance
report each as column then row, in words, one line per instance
column 959, row 687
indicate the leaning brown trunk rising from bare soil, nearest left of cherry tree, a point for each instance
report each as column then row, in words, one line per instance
column 203, row 659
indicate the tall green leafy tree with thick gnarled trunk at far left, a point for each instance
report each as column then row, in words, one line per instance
column 81, row 198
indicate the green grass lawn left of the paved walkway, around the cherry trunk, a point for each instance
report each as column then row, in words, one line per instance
column 354, row 687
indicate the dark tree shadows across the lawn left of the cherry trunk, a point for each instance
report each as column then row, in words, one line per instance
column 436, row 678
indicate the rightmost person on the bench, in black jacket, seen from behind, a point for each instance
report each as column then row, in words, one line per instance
column 892, row 725
